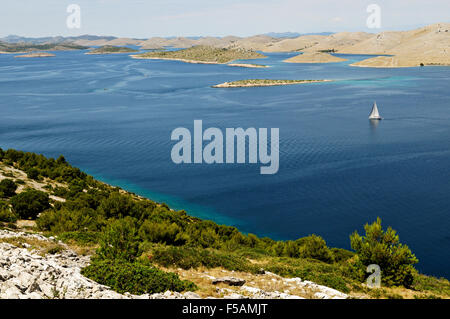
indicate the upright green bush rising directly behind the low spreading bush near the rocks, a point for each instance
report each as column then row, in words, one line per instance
column 120, row 240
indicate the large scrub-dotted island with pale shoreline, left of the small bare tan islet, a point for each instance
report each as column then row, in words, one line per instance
column 204, row 55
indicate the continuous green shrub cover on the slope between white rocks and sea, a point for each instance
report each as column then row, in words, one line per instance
column 135, row 238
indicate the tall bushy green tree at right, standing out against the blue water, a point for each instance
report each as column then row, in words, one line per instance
column 384, row 249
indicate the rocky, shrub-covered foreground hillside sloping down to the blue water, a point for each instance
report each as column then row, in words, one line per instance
column 121, row 234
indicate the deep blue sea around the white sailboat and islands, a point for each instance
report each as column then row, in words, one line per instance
column 112, row 116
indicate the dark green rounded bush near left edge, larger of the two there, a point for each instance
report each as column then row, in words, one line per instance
column 30, row 203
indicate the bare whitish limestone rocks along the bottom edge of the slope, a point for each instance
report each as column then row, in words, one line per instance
column 27, row 273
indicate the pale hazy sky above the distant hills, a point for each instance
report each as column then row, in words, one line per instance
column 147, row 18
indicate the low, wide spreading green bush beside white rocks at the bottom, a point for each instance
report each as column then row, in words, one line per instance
column 134, row 277
